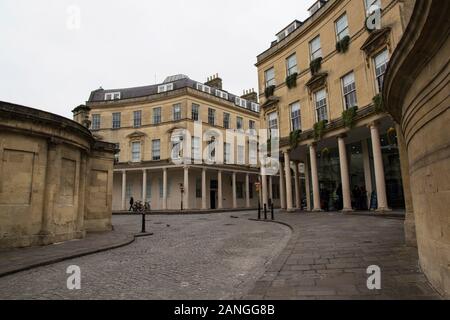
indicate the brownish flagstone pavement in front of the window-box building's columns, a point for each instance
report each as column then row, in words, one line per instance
column 328, row 256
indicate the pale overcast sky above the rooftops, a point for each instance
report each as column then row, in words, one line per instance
column 51, row 60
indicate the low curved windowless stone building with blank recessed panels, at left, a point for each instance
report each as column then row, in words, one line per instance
column 55, row 178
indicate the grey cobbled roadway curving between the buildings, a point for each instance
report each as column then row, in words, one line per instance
column 217, row 256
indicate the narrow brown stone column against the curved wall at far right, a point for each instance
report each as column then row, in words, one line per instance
column 410, row 224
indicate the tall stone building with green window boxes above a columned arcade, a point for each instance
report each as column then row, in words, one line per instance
column 320, row 84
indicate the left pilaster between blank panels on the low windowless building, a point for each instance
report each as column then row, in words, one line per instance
column 52, row 182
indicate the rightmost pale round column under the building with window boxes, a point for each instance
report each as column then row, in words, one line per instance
column 379, row 169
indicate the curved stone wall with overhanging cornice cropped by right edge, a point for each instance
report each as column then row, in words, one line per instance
column 416, row 93
